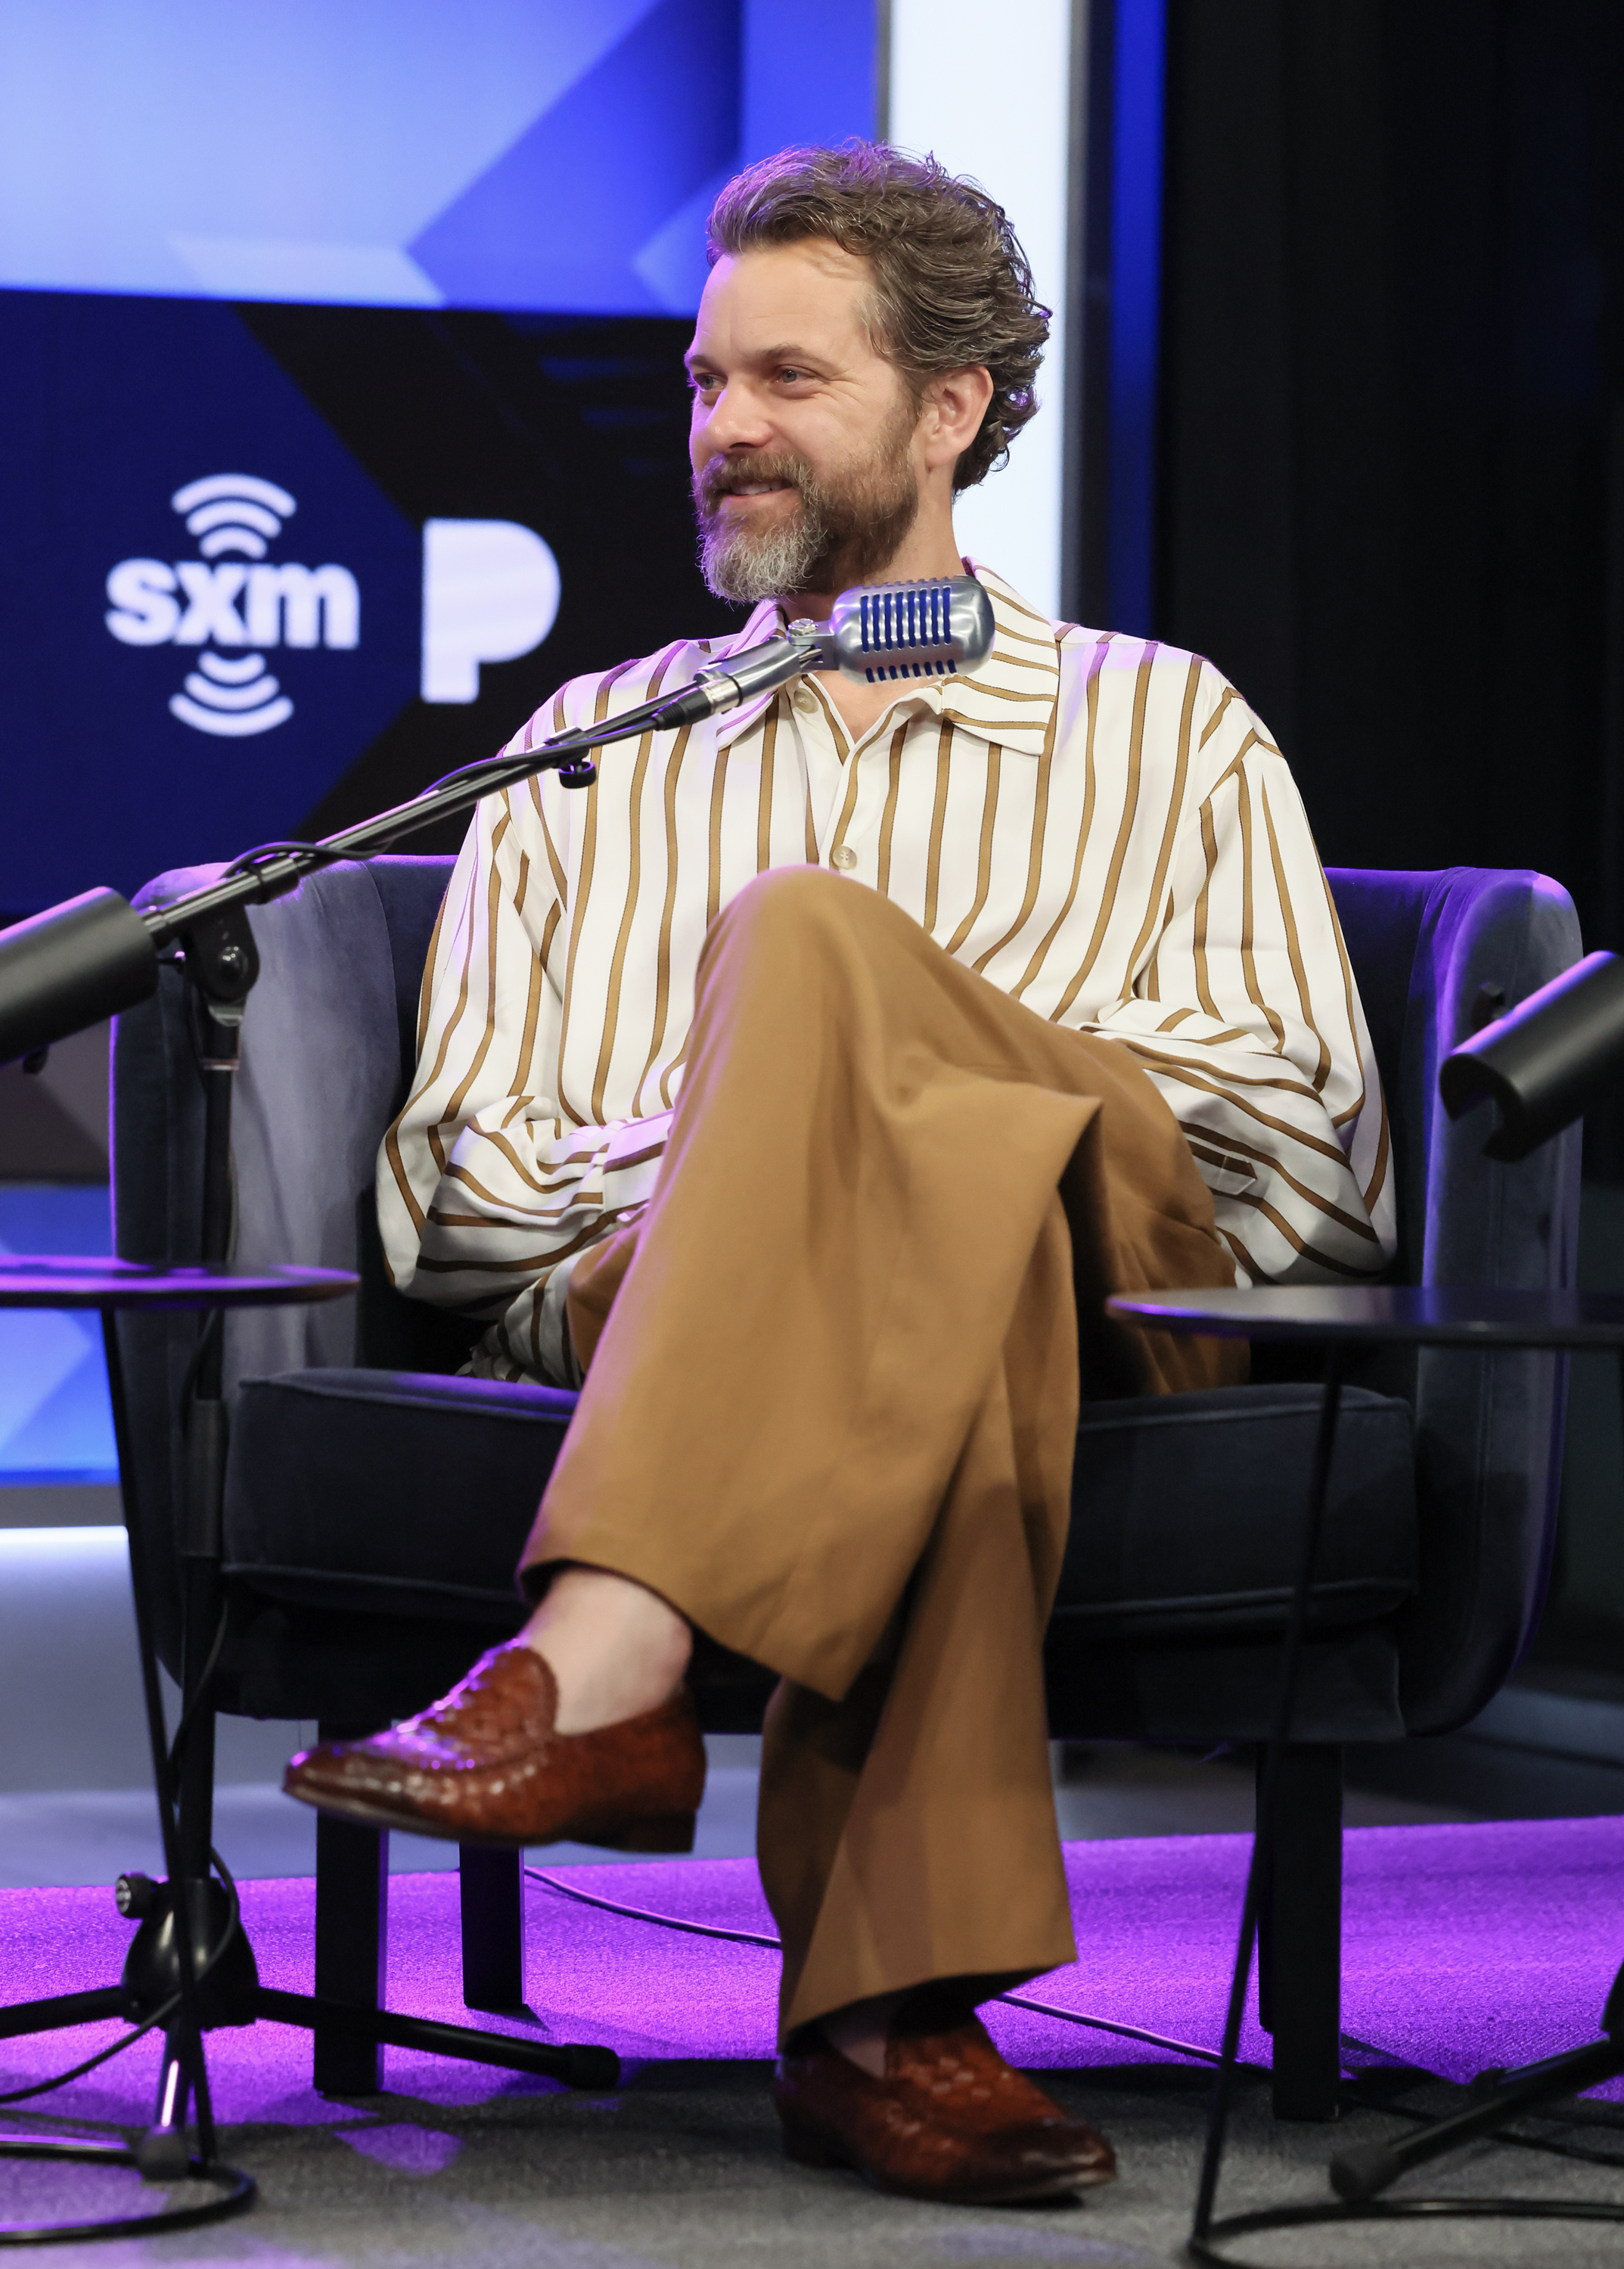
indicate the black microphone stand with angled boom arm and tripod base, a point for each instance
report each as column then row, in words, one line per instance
column 71, row 968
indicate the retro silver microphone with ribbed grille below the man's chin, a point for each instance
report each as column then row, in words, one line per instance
column 877, row 632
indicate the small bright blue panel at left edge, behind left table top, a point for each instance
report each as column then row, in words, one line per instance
column 56, row 1419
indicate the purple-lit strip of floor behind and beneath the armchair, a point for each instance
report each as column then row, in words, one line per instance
column 1489, row 1943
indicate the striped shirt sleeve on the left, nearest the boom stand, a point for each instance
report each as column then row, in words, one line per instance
column 489, row 1192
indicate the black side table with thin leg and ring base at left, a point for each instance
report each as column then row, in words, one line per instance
column 162, row 1952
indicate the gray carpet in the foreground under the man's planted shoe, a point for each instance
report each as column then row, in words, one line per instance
column 682, row 2170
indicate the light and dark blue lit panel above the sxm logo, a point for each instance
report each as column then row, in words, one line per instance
column 400, row 153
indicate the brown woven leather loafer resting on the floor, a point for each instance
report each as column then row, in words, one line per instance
column 951, row 2123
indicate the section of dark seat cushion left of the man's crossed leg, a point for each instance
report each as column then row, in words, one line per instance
column 389, row 1492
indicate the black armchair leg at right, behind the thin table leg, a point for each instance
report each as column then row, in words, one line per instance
column 1301, row 1932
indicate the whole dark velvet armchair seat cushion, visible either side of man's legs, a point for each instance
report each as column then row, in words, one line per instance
column 414, row 1494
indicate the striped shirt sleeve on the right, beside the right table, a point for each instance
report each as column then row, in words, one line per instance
column 1249, row 1020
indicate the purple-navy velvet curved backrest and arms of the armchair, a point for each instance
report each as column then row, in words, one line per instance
column 330, row 1047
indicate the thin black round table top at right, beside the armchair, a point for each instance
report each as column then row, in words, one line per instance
column 1423, row 1315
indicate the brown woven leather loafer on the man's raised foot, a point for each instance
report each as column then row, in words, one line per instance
column 484, row 1766
